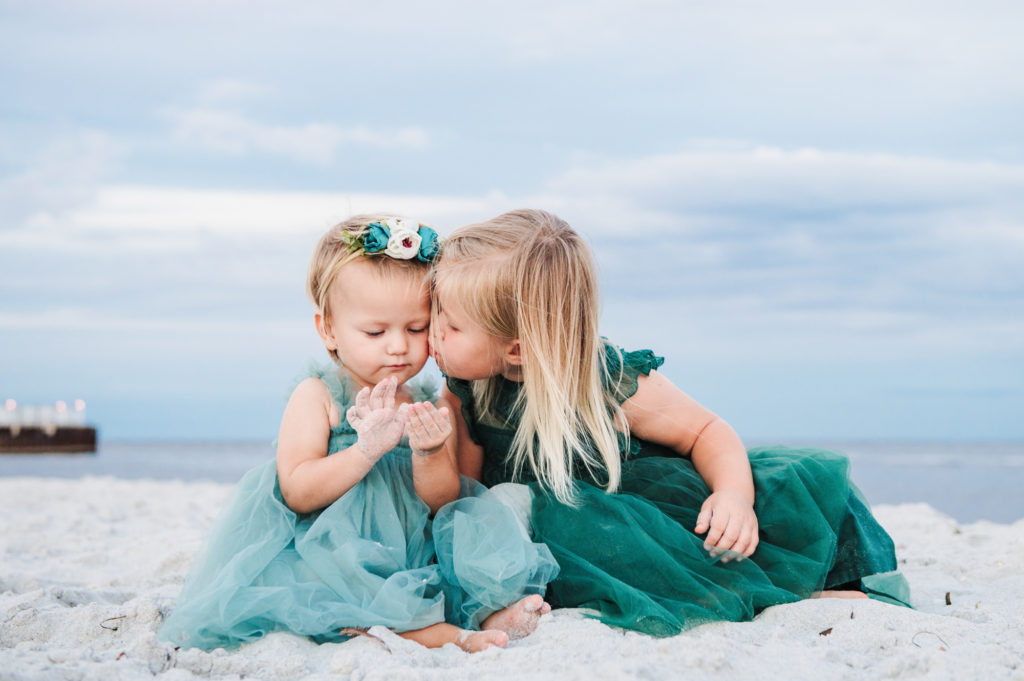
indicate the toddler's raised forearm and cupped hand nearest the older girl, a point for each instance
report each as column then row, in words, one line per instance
column 436, row 474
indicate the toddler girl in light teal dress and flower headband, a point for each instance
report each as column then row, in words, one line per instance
column 354, row 526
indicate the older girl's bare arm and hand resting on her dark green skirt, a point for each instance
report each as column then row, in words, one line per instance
column 662, row 413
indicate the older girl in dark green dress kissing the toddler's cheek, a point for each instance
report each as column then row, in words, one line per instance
column 649, row 501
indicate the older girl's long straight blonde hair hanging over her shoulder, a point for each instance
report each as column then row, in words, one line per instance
column 527, row 275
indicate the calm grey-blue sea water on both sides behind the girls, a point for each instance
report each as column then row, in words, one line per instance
column 967, row 481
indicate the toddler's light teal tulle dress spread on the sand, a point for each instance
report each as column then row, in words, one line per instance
column 373, row 558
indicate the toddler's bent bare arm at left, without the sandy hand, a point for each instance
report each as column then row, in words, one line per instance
column 310, row 480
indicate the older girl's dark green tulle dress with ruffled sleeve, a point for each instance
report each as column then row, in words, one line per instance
column 631, row 559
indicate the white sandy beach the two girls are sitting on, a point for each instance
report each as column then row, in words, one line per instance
column 91, row 567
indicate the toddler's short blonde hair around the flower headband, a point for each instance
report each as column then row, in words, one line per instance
column 334, row 251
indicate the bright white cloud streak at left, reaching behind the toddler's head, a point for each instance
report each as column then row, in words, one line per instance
column 134, row 220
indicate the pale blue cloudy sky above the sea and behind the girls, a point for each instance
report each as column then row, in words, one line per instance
column 814, row 210
